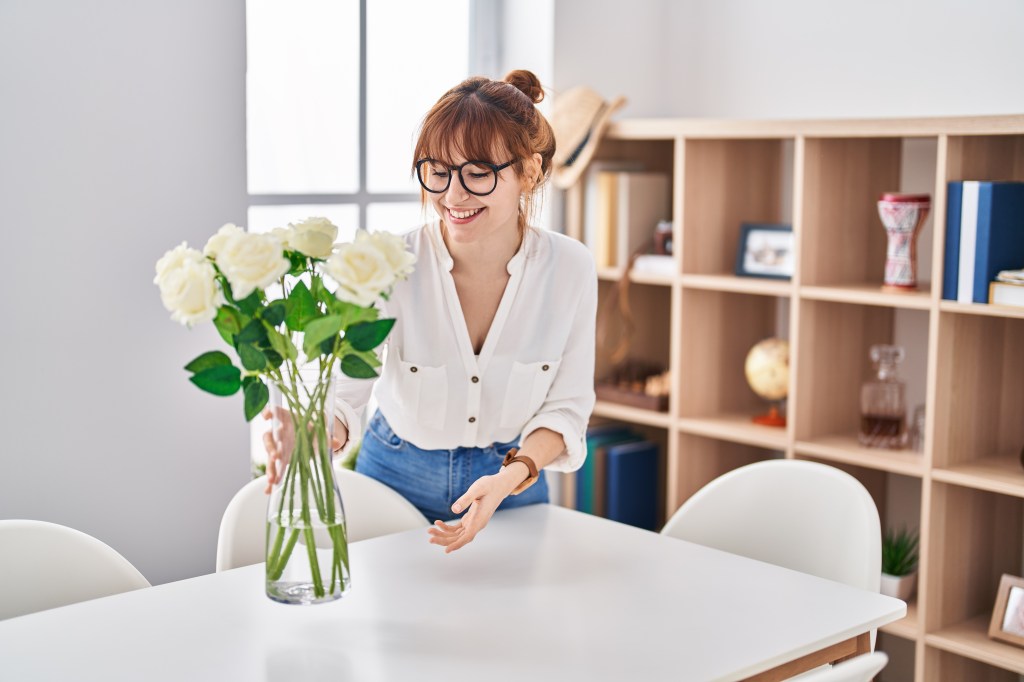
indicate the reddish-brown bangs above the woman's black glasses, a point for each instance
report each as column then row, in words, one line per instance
column 468, row 130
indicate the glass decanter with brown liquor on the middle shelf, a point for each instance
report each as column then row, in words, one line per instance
column 883, row 402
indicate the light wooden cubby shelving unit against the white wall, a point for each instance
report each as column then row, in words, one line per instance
column 824, row 178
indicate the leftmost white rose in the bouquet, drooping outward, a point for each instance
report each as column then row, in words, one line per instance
column 188, row 286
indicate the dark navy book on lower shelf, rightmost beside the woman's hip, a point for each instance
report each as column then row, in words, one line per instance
column 632, row 484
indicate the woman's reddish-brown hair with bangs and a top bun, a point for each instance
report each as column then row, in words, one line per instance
column 481, row 118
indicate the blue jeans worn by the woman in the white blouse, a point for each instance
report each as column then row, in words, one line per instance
column 434, row 480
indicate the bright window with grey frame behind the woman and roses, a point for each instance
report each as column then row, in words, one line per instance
column 336, row 91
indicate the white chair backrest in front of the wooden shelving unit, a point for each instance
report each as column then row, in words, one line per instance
column 803, row 516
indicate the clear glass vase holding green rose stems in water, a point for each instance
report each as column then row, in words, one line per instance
column 307, row 535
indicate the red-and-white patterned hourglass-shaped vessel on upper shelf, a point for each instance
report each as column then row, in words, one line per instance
column 904, row 217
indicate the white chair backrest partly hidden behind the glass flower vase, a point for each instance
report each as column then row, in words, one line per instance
column 372, row 509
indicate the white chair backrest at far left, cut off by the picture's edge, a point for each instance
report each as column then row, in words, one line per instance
column 47, row 566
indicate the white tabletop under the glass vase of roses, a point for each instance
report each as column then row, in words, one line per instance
column 543, row 594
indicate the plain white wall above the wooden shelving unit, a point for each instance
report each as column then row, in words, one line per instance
column 795, row 59
